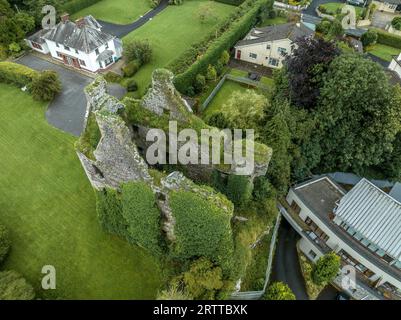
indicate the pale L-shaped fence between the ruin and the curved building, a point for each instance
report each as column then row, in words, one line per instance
column 255, row 295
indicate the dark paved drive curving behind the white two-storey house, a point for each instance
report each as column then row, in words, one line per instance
column 122, row 30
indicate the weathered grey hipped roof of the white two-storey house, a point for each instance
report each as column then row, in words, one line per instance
column 85, row 38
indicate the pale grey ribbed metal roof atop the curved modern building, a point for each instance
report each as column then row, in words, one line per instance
column 374, row 214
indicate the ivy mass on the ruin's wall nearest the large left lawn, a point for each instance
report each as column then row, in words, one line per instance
column 131, row 214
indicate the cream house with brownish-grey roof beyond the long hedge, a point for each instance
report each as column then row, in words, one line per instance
column 268, row 46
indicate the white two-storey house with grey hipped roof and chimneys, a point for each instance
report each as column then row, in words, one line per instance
column 81, row 44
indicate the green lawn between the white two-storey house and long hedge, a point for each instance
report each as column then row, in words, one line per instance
column 172, row 32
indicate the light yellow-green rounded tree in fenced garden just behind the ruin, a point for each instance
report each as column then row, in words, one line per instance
column 244, row 110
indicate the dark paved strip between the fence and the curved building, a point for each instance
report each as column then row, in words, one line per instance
column 286, row 266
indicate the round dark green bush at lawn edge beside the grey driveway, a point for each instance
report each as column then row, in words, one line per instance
column 46, row 86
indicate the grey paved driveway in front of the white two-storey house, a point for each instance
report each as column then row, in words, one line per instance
column 67, row 110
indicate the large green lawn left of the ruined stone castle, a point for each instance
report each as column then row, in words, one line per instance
column 49, row 206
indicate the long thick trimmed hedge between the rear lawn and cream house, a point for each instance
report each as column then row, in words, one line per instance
column 228, row 39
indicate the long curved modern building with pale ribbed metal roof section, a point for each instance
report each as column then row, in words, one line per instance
column 363, row 226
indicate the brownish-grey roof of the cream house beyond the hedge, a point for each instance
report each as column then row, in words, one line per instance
column 290, row 31
